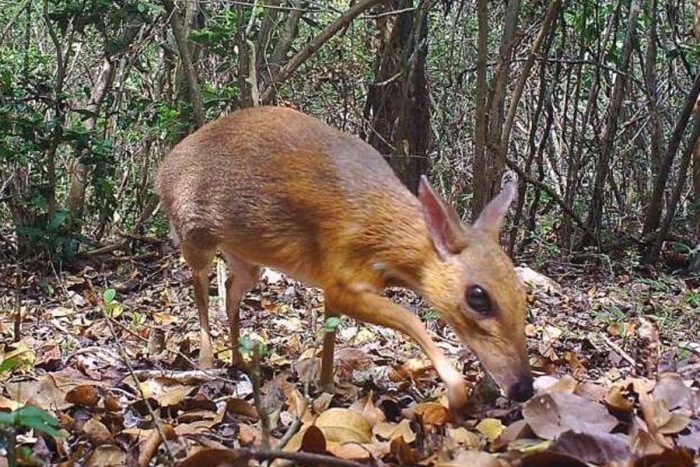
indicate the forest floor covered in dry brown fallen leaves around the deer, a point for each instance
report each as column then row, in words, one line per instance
column 109, row 349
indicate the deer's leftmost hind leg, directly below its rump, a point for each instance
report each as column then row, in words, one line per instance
column 199, row 259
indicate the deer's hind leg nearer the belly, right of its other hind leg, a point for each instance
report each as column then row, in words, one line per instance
column 242, row 278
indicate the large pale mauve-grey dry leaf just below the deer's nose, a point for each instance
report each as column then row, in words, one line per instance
column 549, row 415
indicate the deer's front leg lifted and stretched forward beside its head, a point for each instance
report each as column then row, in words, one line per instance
column 371, row 308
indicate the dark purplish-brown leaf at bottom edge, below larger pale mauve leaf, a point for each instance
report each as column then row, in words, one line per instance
column 593, row 448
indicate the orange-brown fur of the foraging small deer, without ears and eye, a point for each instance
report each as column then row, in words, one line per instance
column 271, row 186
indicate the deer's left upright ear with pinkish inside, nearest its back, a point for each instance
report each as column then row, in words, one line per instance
column 446, row 231
